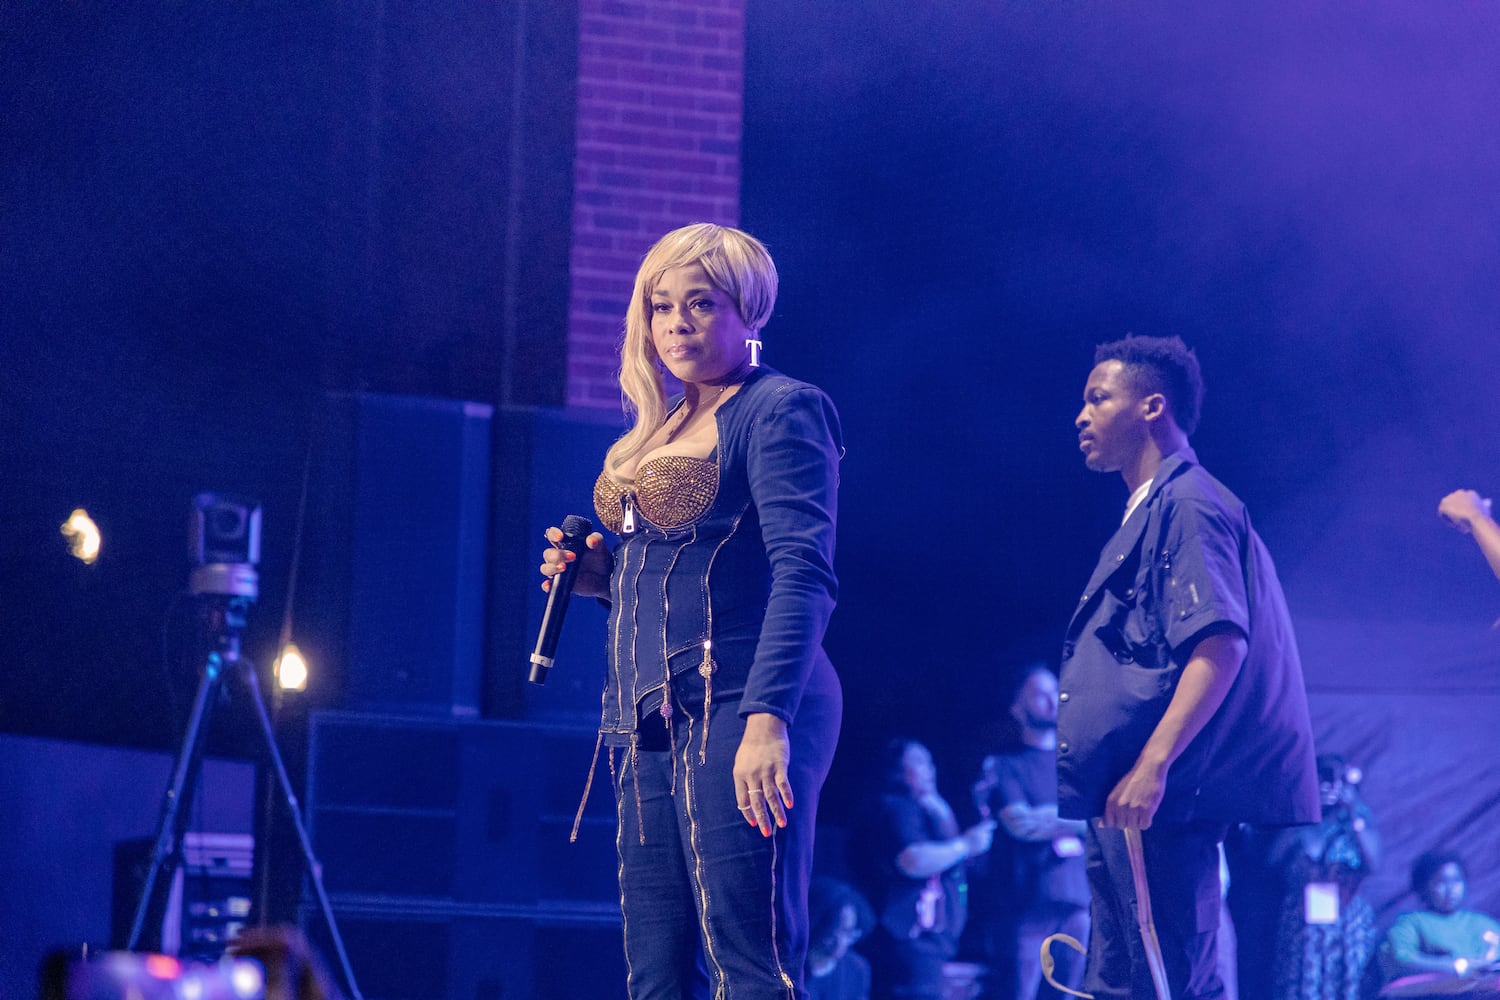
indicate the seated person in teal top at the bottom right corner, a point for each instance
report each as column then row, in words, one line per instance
column 1442, row 938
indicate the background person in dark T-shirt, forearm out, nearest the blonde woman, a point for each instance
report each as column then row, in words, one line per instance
column 914, row 860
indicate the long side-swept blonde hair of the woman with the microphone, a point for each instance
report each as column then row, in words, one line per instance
column 736, row 263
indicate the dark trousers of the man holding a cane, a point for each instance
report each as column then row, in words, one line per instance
column 1183, row 873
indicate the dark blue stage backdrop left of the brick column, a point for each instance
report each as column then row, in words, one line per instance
column 214, row 215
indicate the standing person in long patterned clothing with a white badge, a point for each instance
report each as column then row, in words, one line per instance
column 1328, row 929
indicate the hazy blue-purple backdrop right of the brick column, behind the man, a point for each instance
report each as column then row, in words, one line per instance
column 965, row 197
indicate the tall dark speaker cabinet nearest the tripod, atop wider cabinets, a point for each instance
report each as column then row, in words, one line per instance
column 398, row 530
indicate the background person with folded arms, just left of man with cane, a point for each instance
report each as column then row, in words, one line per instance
column 1036, row 882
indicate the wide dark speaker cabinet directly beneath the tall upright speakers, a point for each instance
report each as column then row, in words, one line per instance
column 476, row 812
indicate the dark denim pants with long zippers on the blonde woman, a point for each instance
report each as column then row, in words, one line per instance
column 703, row 891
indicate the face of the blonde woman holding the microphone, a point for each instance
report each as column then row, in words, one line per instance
column 695, row 328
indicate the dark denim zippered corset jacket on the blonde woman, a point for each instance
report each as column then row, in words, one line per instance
column 742, row 596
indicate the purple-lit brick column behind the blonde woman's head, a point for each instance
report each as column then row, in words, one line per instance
column 661, row 88
